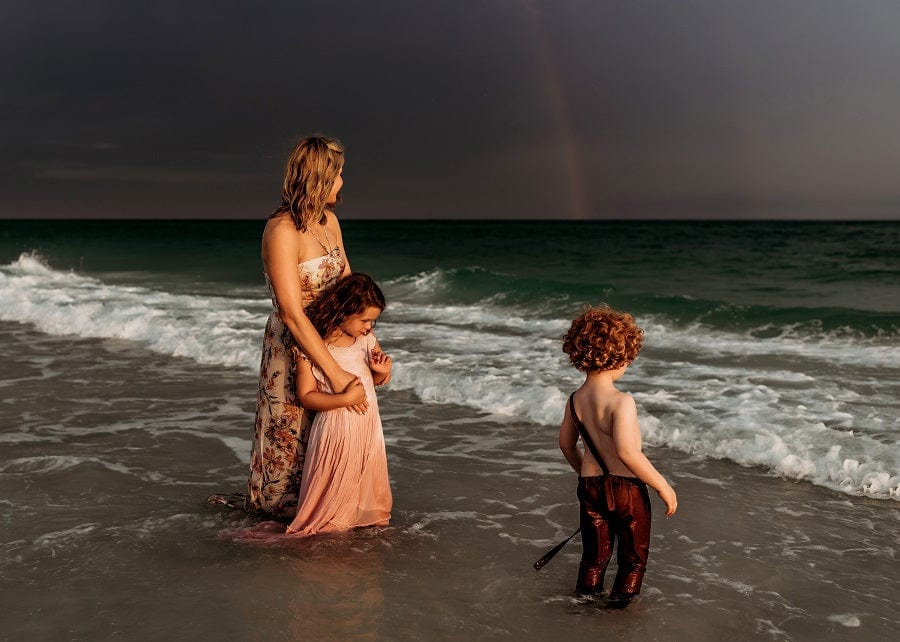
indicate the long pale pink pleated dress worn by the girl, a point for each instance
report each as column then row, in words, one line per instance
column 345, row 478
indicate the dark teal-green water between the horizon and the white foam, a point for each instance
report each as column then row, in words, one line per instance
column 827, row 276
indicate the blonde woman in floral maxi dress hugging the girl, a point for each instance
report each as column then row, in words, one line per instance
column 303, row 254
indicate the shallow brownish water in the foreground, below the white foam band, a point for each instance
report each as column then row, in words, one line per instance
column 109, row 451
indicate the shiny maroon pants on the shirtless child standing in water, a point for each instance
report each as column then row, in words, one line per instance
column 613, row 508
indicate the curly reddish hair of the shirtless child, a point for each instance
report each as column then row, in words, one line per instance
column 601, row 339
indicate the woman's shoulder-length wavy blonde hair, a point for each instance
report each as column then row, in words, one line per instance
column 312, row 167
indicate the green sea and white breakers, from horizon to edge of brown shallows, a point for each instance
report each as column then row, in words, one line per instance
column 768, row 344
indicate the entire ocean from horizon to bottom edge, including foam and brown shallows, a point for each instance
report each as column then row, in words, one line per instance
column 768, row 391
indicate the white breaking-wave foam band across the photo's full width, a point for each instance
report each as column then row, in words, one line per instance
column 819, row 407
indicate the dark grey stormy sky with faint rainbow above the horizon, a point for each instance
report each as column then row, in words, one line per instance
column 454, row 108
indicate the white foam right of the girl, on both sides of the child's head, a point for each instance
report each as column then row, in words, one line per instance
column 786, row 407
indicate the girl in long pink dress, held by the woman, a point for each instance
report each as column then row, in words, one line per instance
column 345, row 480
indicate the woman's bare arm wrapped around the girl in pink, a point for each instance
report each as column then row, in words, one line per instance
column 280, row 253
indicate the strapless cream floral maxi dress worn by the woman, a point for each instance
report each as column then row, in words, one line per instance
column 282, row 426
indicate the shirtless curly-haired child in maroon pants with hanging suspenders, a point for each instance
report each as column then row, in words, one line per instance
column 613, row 473
